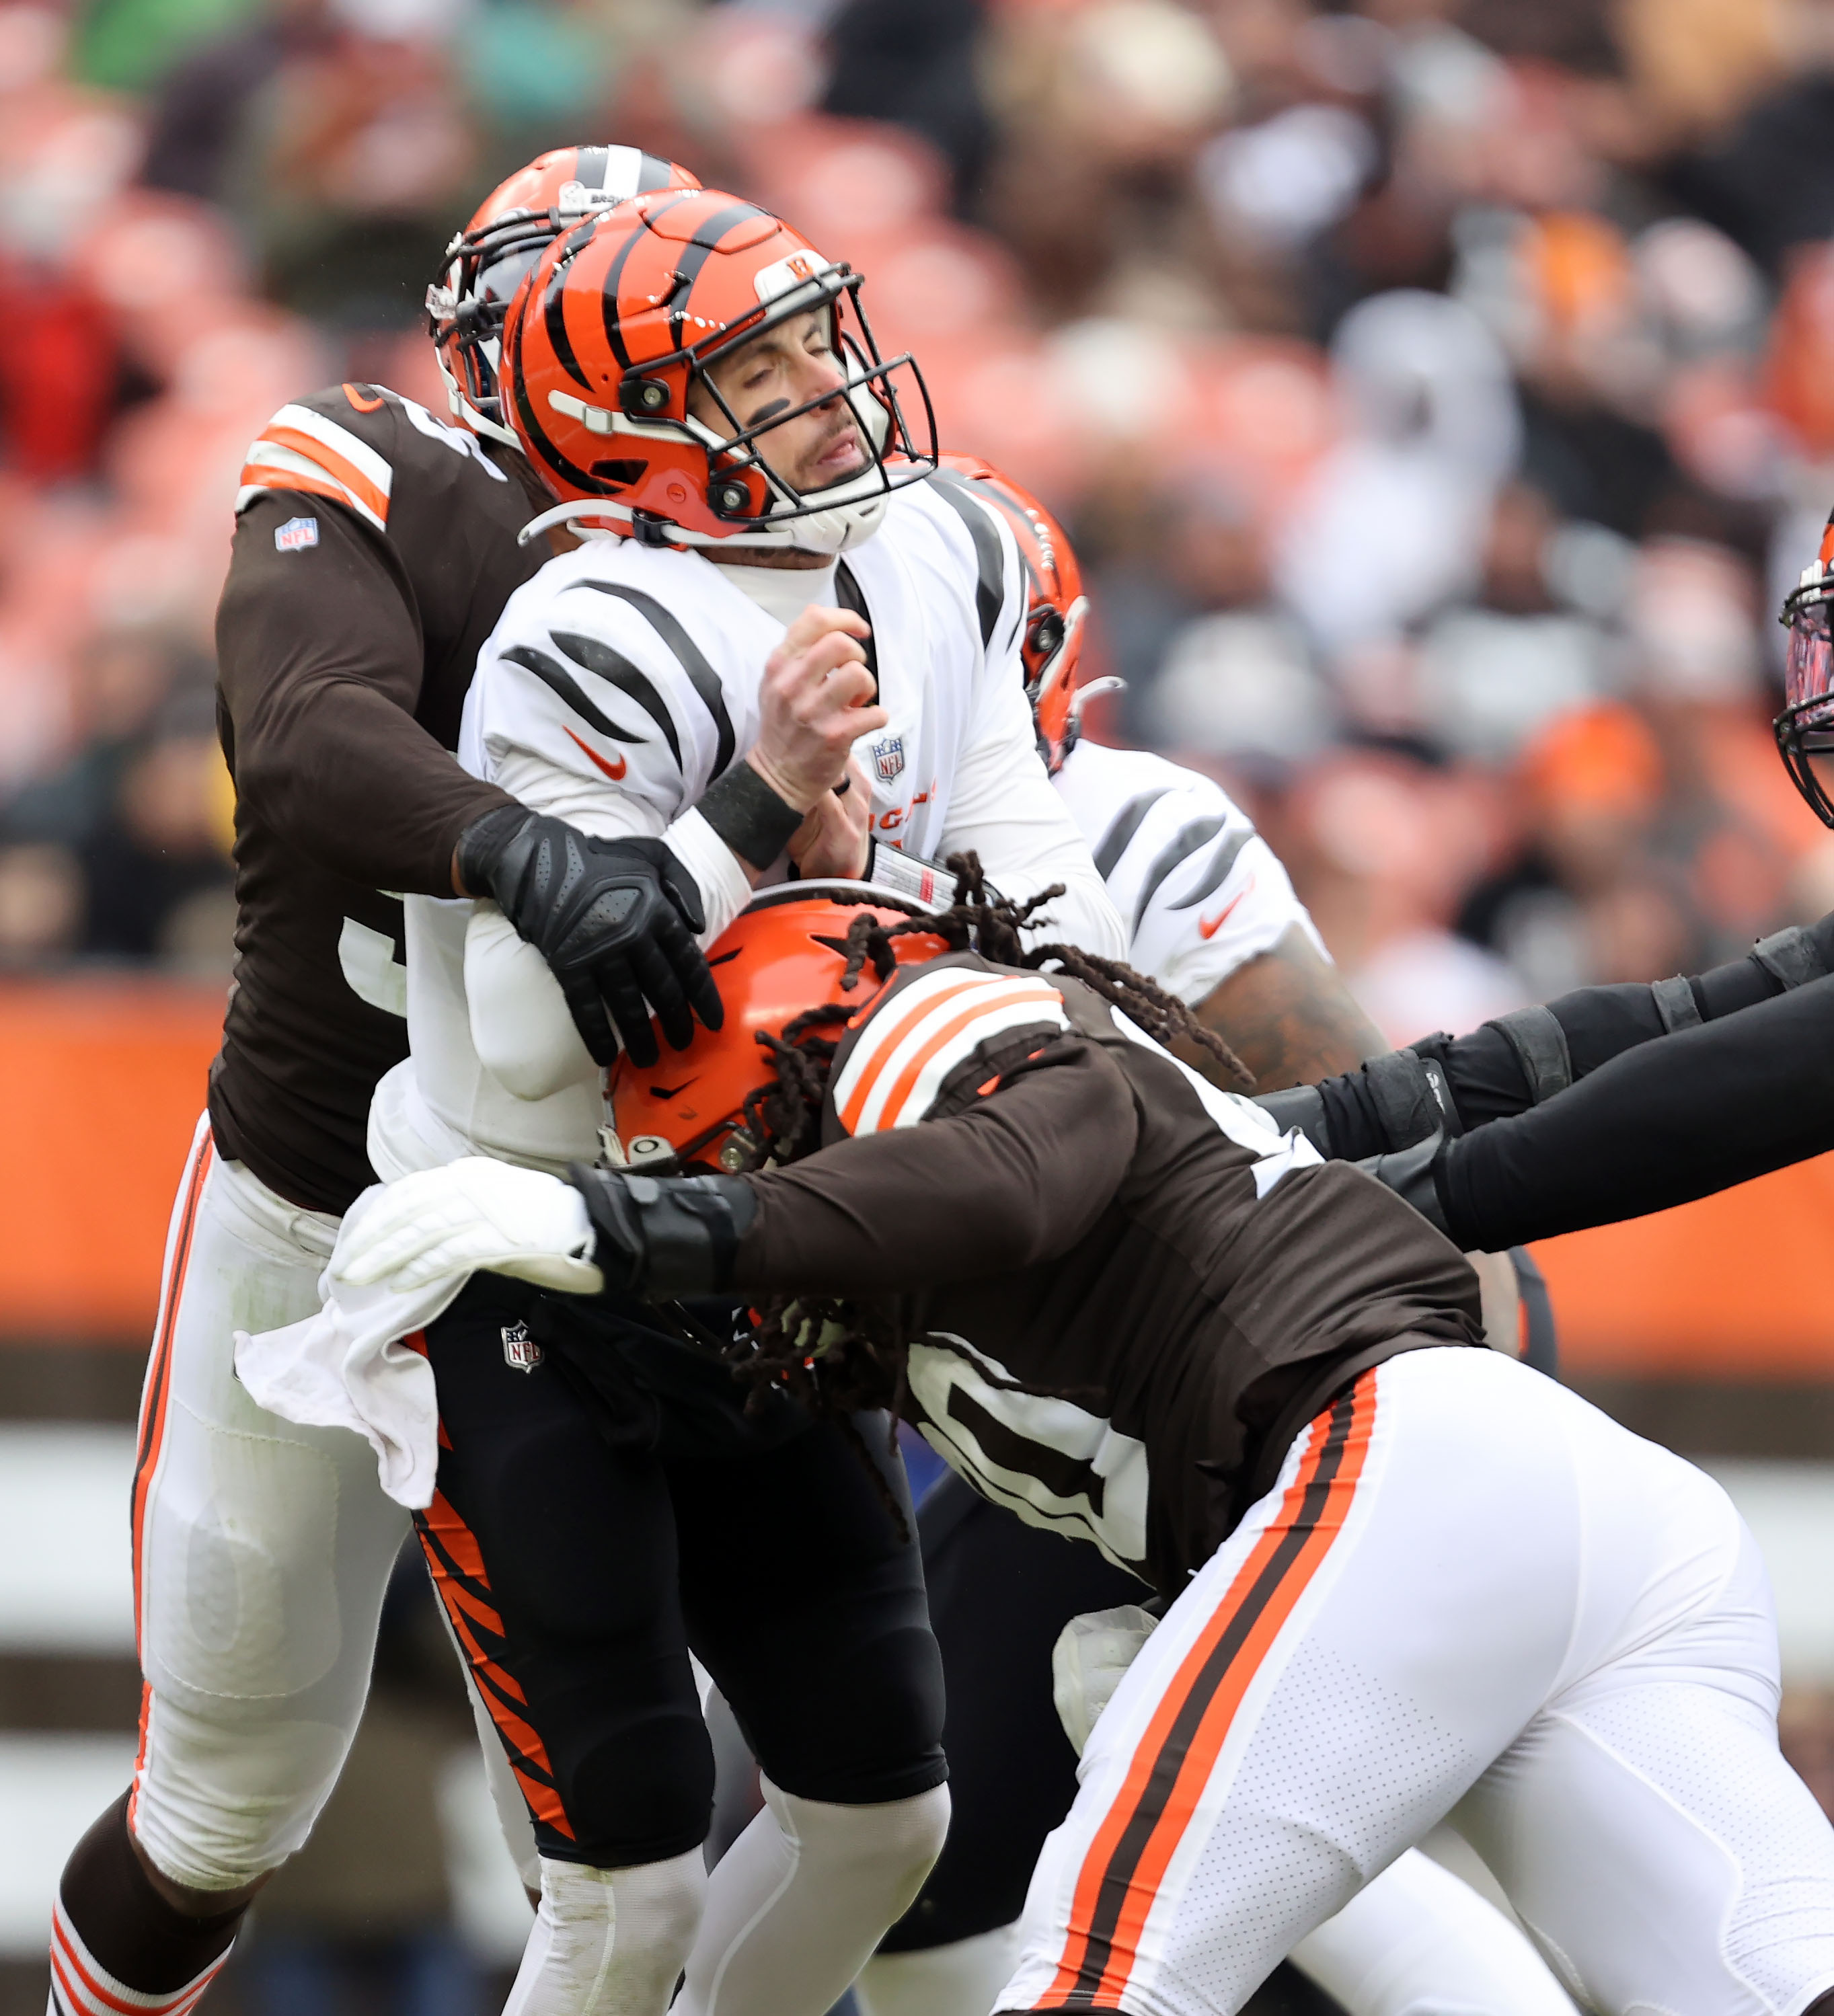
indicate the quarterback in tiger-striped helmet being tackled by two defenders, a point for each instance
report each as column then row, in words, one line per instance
column 696, row 388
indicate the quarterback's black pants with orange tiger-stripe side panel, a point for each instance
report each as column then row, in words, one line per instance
column 608, row 1509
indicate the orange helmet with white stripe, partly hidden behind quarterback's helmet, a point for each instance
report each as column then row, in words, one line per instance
column 509, row 233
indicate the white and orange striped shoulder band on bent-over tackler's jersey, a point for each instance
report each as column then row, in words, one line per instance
column 910, row 1047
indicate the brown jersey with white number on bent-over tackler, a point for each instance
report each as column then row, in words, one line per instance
column 1126, row 1289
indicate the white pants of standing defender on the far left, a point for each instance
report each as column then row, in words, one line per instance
column 261, row 1549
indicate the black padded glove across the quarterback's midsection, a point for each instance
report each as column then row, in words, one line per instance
column 616, row 922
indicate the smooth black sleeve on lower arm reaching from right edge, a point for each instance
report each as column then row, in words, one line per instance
column 1666, row 1124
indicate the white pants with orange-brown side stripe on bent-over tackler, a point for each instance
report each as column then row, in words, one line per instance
column 1468, row 1596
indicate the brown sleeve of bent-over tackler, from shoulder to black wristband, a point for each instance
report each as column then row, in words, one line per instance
column 1017, row 1178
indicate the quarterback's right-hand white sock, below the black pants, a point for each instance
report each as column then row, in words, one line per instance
column 803, row 1898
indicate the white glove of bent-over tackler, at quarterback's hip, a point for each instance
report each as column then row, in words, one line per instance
column 467, row 1217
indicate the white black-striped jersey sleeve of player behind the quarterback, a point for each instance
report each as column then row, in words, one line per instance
column 1198, row 888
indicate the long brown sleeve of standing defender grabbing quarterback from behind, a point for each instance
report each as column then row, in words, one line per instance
column 321, row 662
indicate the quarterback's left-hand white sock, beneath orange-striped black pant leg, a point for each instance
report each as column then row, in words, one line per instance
column 610, row 1942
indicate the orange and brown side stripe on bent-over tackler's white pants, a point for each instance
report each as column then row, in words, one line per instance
column 1116, row 1892
